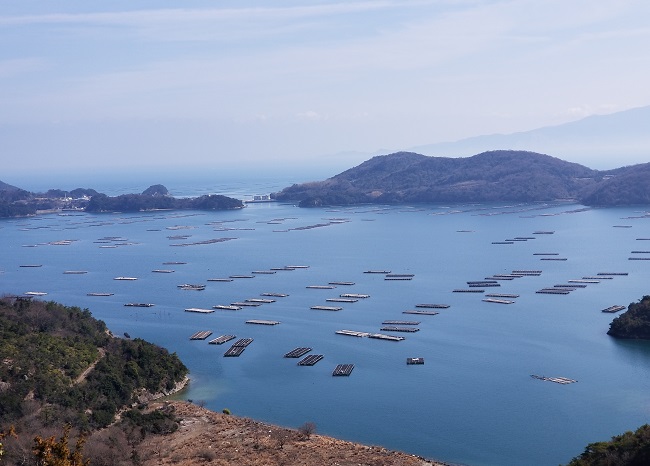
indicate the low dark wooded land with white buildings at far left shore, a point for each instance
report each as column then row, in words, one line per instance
column 16, row 202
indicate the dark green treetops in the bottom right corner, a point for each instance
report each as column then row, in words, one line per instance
column 629, row 449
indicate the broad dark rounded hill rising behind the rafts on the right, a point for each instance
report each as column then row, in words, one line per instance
column 487, row 177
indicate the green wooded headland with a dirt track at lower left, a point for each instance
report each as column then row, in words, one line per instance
column 45, row 348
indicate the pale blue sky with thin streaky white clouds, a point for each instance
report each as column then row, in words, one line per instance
column 281, row 85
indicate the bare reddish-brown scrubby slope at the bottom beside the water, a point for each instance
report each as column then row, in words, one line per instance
column 209, row 438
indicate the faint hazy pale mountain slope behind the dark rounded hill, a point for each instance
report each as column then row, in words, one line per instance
column 622, row 136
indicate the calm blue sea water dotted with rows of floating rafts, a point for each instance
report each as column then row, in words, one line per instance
column 472, row 401
